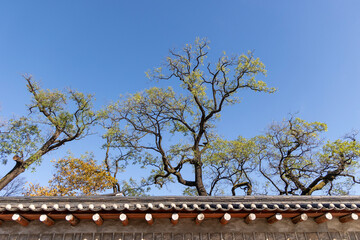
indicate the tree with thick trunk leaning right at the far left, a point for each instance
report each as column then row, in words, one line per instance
column 62, row 117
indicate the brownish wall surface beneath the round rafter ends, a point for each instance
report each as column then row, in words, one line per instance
column 162, row 229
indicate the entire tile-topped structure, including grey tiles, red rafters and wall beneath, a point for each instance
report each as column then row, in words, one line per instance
column 180, row 217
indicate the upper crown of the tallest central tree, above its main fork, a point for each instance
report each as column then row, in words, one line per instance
column 209, row 88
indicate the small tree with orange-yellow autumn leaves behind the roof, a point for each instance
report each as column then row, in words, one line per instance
column 75, row 176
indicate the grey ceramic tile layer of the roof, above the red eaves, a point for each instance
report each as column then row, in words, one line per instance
column 180, row 203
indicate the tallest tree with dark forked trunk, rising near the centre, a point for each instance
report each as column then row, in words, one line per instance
column 152, row 120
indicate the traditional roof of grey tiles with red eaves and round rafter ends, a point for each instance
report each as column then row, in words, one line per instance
column 100, row 208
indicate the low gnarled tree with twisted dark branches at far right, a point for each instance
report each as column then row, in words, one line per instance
column 295, row 161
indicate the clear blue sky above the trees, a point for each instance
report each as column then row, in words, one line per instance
column 311, row 50
